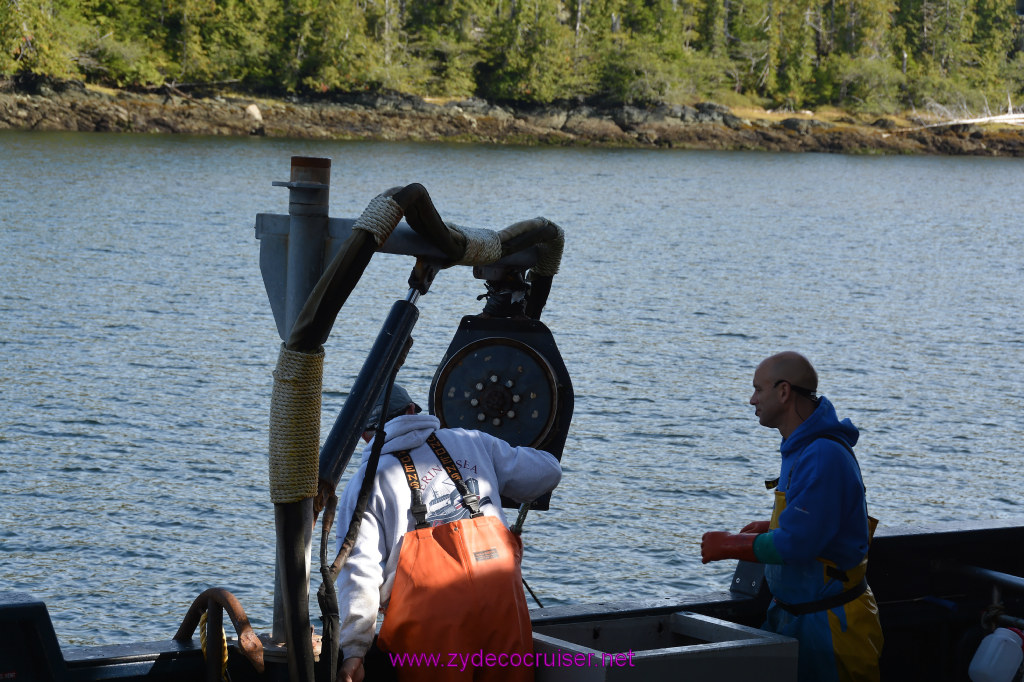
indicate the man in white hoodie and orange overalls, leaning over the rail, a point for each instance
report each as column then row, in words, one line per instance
column 490, row 468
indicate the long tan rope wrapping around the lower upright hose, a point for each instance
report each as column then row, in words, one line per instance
column 295, row 417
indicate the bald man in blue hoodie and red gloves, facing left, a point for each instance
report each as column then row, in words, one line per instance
column 816, row 546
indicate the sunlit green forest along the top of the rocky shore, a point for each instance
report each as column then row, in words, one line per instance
column 879, row 57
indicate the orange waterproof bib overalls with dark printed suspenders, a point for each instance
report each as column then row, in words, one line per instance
column 458, row 598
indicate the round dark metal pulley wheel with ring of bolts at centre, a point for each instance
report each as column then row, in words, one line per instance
column 501, row 387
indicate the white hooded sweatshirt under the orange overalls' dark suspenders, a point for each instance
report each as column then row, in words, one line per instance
column 491, row 468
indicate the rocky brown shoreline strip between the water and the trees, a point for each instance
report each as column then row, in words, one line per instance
column 72, row 107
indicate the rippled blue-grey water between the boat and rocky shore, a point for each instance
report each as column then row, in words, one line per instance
column 138, row 345
